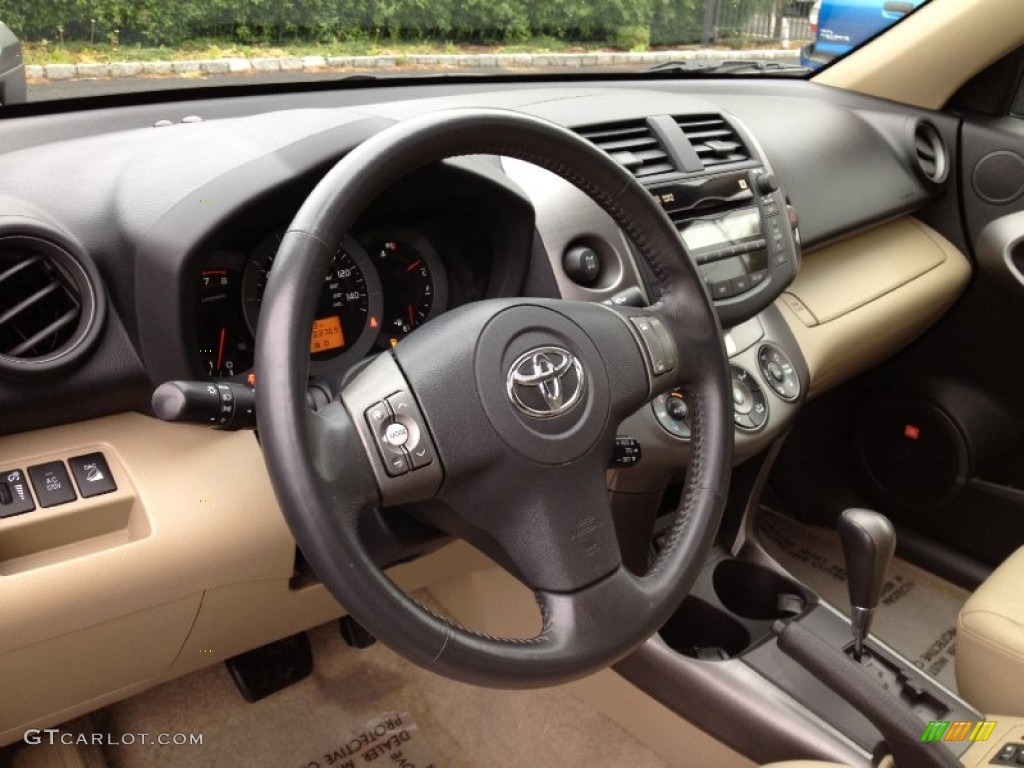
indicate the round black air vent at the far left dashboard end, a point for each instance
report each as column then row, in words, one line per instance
column 51, row 306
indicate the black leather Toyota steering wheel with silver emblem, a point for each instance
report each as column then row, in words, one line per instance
column 499, row 418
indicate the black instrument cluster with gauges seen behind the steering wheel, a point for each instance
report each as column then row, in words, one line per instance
column 409, row 263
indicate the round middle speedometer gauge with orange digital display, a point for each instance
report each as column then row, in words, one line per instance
column 349, row 308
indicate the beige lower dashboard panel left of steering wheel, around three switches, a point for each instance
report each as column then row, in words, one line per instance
column 188, row 564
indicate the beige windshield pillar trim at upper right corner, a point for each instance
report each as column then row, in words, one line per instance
column 926, row 59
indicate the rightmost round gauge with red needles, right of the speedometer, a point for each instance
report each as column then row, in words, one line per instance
column 413, row 277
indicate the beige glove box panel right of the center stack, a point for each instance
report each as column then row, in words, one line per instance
column 860, row 302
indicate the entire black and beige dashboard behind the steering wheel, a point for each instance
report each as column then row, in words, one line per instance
column 165, row 237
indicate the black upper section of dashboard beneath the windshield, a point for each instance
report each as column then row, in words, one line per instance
column 165, row 214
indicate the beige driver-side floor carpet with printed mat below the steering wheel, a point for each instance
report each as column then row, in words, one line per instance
column 368, row 708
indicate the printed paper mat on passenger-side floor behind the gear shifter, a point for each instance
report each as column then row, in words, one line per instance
column 918, row 612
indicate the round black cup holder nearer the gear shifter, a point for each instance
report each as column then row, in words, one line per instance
column 755, row 592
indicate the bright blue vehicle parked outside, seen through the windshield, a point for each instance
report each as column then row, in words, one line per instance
column 844, row 25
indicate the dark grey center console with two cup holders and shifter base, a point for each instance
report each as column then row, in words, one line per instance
column 759, row 662
